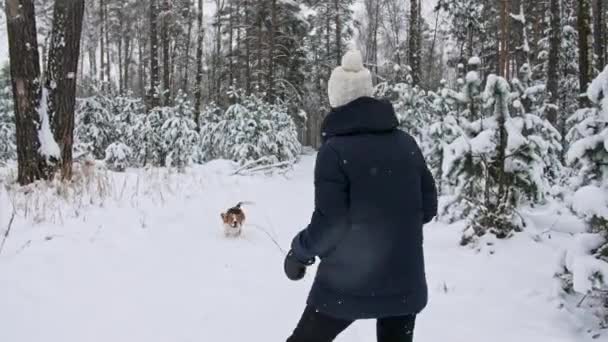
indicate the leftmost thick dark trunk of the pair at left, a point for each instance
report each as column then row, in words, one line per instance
column 25, row 78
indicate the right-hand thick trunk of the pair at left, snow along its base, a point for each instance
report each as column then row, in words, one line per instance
column 61, row 77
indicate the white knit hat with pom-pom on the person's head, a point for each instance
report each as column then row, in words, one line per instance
column 349, row 81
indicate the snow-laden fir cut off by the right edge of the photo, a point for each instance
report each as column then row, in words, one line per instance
column 585, row 271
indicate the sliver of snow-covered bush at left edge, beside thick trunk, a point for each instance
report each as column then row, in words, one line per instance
column 8, row 149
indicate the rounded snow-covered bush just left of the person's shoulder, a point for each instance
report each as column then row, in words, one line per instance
column 251, row 131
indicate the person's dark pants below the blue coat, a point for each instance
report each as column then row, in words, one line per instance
column 317, row 327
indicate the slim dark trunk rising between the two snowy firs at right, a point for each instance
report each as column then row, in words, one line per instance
column 555, row 41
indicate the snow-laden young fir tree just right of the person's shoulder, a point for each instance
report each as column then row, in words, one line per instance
column 500, row 163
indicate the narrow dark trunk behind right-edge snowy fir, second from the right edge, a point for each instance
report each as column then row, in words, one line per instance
column 585, row 50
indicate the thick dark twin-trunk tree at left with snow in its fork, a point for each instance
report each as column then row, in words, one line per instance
column 44, row 117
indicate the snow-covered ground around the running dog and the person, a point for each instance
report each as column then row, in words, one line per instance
column 151, row 264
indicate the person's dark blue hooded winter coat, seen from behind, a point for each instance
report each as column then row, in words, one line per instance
column 373, row 193
